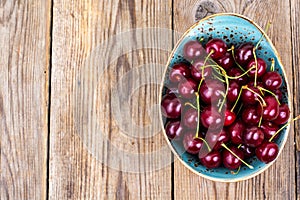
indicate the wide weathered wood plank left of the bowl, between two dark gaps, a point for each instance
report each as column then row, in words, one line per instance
column 82, row 164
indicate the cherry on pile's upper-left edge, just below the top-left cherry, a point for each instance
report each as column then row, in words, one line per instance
column 179, row 72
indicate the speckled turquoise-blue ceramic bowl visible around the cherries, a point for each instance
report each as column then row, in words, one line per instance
column 233, row 29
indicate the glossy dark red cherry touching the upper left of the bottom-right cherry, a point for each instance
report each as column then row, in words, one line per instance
column 253, row 136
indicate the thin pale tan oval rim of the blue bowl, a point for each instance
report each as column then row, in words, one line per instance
column 288, row 91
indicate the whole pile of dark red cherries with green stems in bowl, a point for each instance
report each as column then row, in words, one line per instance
column 224, row 104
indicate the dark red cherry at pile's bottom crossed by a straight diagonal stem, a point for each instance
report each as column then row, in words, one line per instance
column 230, row 161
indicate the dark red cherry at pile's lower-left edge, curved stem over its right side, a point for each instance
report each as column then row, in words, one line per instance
column 191, row 144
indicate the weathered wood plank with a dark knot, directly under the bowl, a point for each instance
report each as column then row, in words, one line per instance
column 278, row 182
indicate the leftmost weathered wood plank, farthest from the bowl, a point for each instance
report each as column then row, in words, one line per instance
column 24, row 65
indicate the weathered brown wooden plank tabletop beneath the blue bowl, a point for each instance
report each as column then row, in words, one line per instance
column 61, row 61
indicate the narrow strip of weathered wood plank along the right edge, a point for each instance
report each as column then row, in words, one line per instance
column 295, row 16
